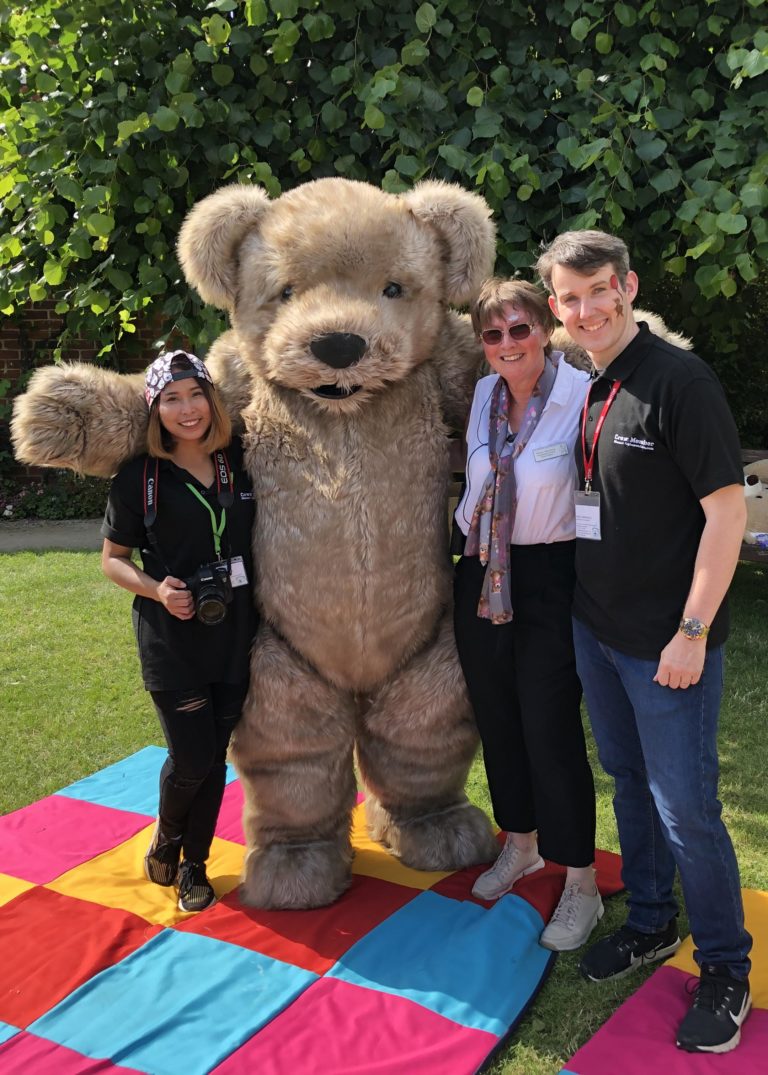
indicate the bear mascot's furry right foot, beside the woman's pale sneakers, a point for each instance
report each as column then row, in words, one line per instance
column 450, row 839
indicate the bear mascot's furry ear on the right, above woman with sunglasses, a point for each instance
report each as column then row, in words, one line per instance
column 465, row 225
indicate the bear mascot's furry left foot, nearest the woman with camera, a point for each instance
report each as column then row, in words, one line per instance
column 295, row 877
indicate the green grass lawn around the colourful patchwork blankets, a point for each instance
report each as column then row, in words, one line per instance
column 72, row 703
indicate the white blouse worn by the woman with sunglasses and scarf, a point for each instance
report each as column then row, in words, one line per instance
column 545, row 471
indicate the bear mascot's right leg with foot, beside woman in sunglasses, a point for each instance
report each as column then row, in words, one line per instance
column 416, row 744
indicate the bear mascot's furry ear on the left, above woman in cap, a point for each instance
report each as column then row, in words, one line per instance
column 210, row 237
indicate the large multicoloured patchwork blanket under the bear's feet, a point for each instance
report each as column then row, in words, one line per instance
column 101, row 972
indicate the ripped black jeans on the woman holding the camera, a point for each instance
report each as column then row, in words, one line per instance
column 197, row 724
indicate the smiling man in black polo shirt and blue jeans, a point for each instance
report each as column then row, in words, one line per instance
column 660, row 519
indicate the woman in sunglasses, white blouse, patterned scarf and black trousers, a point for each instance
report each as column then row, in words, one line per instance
column 514, row 591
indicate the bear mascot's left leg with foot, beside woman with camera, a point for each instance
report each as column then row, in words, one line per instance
column 293, row 750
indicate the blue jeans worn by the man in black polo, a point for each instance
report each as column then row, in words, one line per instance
column 661, row 748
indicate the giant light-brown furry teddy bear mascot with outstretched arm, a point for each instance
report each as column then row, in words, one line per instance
column 348, row 368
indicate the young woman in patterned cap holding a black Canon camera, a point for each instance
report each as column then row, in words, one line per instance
column 188, row 507
